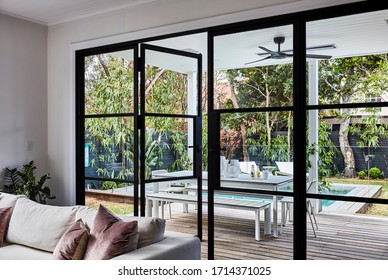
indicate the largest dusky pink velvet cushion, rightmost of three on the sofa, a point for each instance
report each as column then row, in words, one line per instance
column 110, row 236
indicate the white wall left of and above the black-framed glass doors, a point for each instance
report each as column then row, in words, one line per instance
column 138, row 22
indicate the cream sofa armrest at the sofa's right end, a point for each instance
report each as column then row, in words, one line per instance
column 170, row 248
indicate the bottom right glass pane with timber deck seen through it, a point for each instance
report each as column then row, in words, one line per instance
column 361, row 235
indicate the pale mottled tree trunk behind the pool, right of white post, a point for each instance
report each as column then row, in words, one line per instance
column 346, row 149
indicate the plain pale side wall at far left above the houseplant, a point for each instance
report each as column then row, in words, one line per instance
column 23, row 93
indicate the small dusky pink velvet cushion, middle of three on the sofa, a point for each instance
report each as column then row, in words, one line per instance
column 73, row 243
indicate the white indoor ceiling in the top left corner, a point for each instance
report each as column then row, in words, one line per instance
column 51, row 12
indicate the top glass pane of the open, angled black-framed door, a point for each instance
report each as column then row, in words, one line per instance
column 171, row 84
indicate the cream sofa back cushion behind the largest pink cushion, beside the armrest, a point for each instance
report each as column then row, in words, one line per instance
column 151, row 230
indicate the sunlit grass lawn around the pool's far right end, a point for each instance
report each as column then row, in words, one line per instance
column 375, row 209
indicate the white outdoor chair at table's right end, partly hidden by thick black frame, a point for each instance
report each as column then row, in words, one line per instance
column 287, row 203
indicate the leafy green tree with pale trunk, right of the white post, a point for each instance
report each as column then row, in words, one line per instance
column 349, row 80
